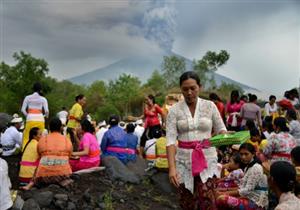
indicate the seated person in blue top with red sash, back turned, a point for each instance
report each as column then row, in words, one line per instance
column 113, row 142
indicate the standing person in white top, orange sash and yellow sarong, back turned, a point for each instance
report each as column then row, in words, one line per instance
column 35, row 108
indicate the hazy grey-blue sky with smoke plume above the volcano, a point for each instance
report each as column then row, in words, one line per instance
column 77, row 36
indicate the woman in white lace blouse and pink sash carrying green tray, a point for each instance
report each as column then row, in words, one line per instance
column 194, row 166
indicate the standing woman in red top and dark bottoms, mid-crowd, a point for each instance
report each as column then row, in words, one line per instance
column 152, row 122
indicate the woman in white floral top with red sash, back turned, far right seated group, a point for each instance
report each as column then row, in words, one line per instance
column 281, row 143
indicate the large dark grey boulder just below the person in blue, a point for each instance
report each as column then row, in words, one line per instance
column 116, row 170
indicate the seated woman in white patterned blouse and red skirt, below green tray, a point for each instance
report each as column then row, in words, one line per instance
column 252, row 193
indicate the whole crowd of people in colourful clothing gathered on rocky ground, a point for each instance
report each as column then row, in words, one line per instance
column 260, row 173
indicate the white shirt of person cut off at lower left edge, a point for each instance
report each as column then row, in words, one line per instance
column 5, row 185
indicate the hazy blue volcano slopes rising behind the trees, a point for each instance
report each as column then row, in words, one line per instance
column 142, row 67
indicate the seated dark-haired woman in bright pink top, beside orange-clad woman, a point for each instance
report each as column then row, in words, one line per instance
column 89, row 150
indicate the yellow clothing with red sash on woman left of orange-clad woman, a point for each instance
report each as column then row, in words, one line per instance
column 29, row 160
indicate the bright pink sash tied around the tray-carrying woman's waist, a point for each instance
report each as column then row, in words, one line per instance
column 198, row 159
